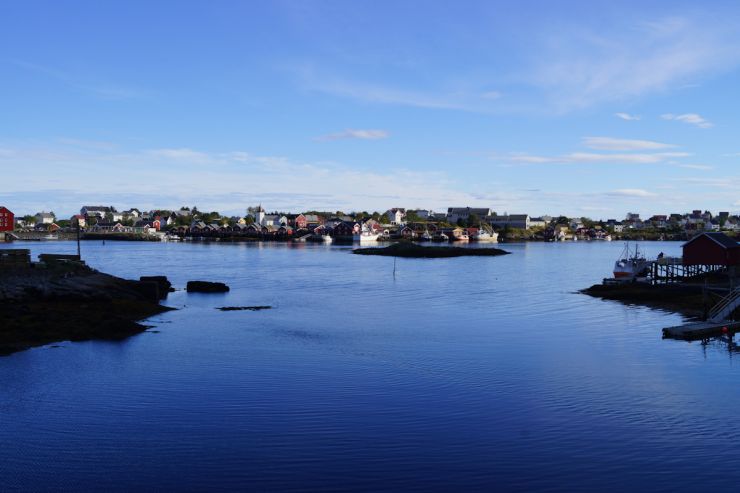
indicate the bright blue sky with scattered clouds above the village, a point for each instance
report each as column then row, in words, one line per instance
column 579, row 108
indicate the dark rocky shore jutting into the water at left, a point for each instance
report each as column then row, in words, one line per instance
column 44, row 303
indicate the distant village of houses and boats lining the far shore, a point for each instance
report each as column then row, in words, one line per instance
column 454, row 224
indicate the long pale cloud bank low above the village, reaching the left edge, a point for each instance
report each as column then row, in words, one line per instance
column 225, row 181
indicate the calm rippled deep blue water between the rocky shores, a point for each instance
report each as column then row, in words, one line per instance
column 467, row 373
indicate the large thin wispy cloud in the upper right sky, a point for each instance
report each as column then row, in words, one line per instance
column 580, row 67
